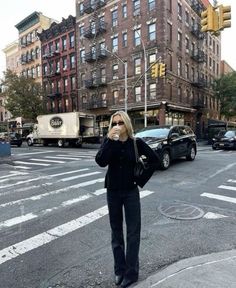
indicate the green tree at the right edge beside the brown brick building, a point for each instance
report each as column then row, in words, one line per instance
column 225, row 91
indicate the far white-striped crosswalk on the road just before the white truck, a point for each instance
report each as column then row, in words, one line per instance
column 39, row 160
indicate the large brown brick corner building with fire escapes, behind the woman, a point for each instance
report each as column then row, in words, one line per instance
column 113, row 33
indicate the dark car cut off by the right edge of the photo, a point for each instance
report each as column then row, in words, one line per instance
column 224, row 140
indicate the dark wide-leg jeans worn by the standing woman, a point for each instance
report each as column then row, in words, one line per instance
column 126, row 264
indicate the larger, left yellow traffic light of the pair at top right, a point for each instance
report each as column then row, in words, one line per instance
column 209, row 19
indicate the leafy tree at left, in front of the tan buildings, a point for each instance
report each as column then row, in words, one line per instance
column 24, row 96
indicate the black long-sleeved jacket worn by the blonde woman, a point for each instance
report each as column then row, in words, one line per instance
column 120, row 158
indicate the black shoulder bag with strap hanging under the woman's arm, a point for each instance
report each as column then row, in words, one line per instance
column 142, row 170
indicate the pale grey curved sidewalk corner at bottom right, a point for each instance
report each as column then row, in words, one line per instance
column 217, row 270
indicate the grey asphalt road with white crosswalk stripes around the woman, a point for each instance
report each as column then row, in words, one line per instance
column 54, row 227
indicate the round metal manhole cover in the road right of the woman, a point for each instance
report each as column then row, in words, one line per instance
column 180, row 211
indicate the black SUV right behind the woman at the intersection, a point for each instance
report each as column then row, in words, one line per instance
column 170, row 142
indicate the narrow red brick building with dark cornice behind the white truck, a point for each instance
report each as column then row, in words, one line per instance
column 59, row 66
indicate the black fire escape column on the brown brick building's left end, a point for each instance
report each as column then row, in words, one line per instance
column 97, row 79
